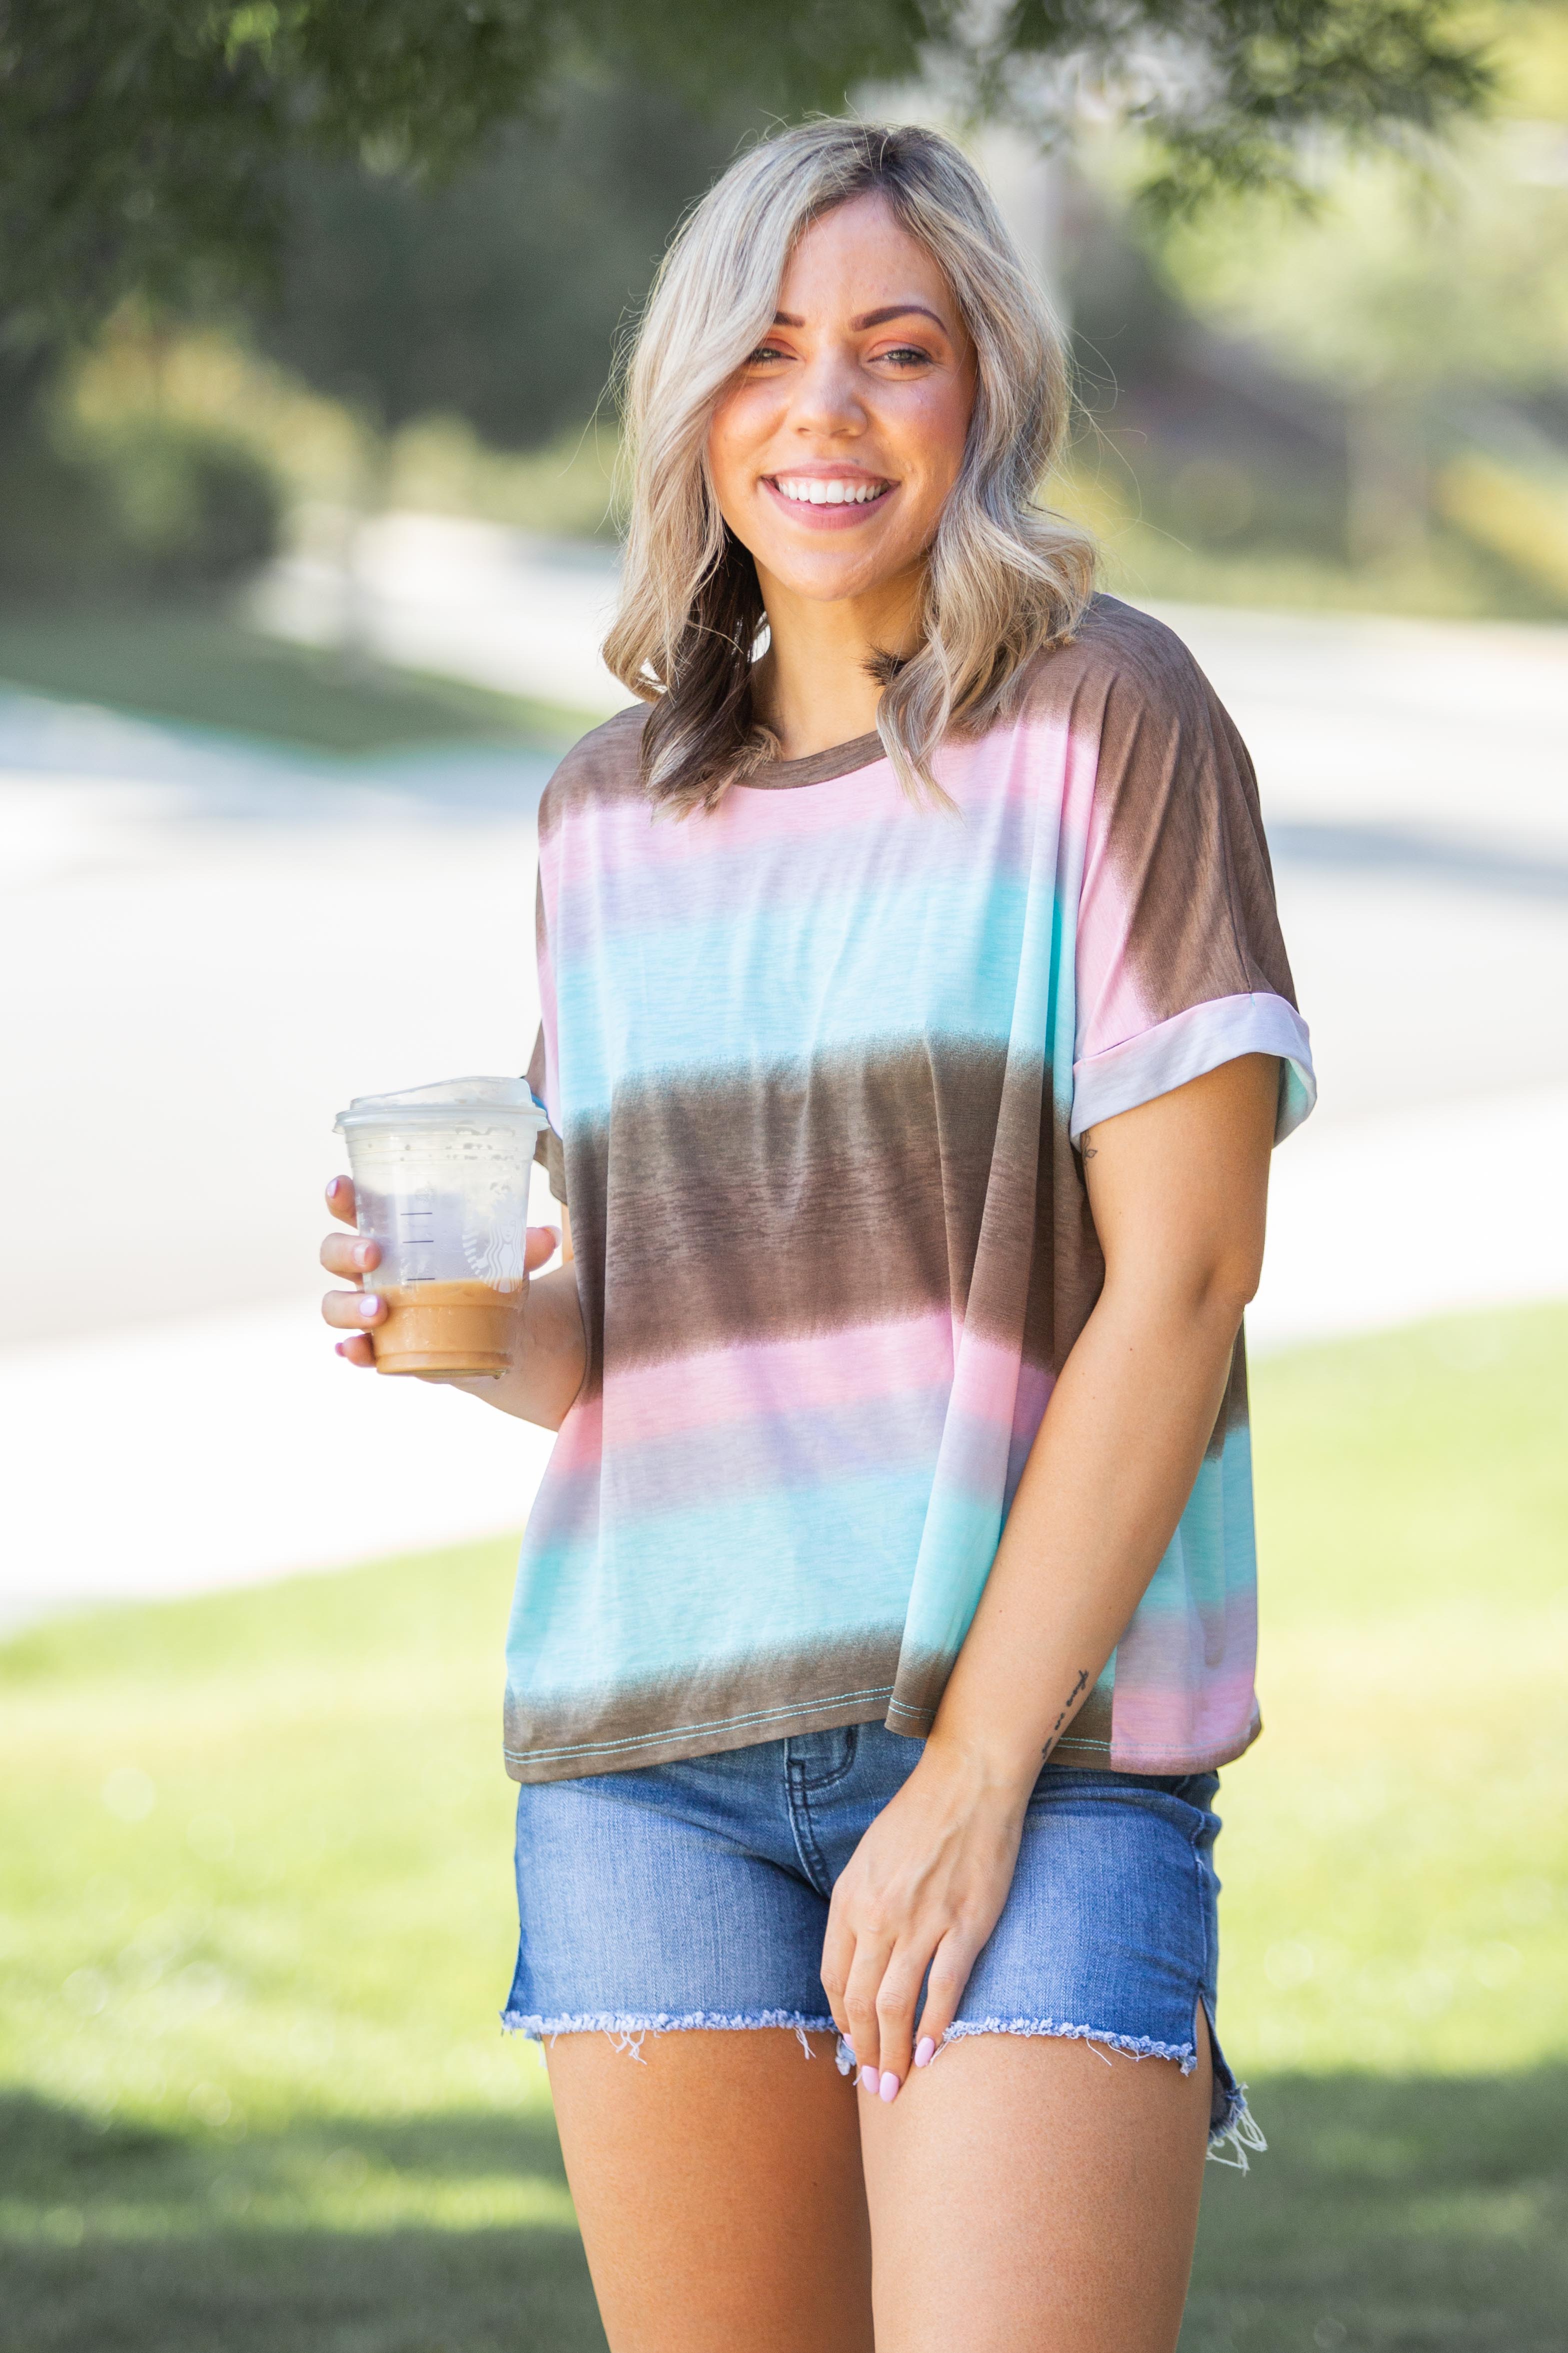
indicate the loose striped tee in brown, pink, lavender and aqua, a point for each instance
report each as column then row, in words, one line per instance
column 817, row 1067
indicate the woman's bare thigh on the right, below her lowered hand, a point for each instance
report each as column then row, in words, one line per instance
column 1036, row 2197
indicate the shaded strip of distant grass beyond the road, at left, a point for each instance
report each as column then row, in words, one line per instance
column 210, row 672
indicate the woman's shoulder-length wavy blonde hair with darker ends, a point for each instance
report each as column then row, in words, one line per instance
column 1005, row 578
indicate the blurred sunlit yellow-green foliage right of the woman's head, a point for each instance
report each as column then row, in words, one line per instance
column 1360, row 399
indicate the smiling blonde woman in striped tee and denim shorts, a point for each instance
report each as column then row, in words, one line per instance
column 916, row 1032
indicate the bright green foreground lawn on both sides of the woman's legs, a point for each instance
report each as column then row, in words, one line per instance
column 257, row 1926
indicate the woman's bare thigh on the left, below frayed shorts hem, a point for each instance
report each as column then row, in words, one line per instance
column 718, row 2185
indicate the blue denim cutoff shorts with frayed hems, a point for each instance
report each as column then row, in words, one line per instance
column 695, row 1895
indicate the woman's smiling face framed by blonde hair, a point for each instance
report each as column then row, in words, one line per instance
column 836, row 446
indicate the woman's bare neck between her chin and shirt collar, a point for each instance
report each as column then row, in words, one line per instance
column 815, row 686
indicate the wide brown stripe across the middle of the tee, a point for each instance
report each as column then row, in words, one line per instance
column 812, row 1197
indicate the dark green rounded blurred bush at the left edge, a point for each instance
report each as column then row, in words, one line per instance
column 138, row 507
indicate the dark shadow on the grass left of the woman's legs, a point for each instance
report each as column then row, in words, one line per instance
column 147, row 2241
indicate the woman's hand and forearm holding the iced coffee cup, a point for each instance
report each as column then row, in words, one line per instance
column 549, row 1347
